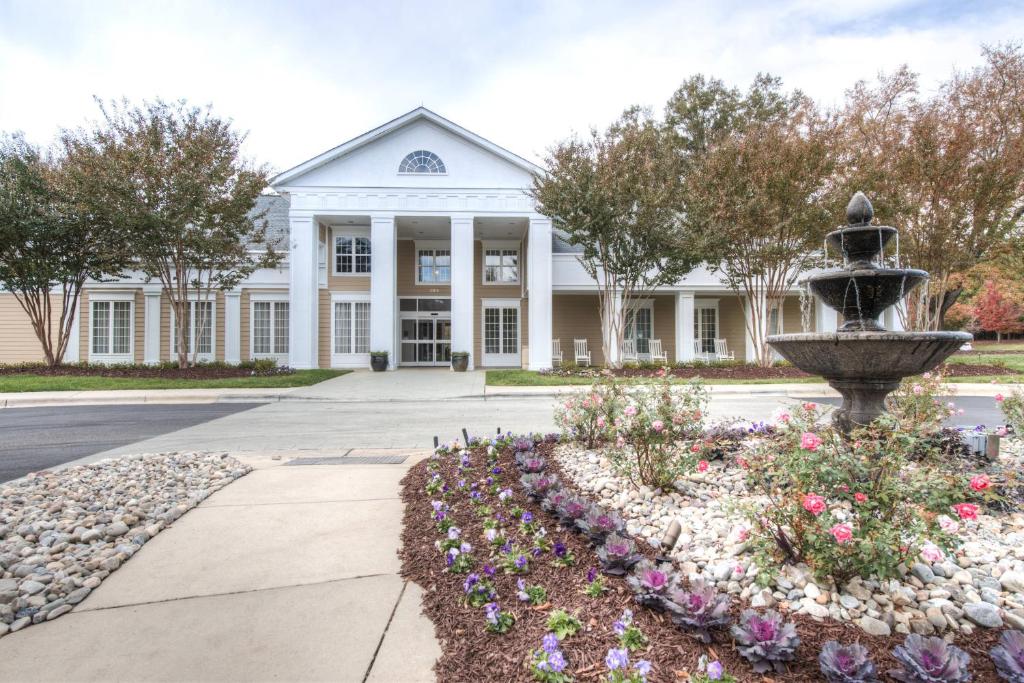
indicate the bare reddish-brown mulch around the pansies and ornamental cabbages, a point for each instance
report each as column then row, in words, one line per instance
column 470, row 654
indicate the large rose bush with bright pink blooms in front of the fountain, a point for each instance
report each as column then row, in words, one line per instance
column 850, row 507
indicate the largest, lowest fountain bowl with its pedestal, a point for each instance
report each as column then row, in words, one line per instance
column 866, row 367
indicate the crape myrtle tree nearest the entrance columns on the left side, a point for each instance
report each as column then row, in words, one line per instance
column 174, row 177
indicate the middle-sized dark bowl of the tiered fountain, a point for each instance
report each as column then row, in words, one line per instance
column 863, row 294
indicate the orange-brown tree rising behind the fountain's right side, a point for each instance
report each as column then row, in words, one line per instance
column 948, row 169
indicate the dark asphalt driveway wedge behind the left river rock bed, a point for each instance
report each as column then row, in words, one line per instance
column 37, row 439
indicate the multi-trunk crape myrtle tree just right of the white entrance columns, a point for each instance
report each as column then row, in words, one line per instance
column 616, row 195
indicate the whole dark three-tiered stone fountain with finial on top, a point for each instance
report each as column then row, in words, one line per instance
column 862, row 360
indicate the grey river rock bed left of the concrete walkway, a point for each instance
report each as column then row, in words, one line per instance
column 63, row 533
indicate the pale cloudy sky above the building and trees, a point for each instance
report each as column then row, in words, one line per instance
column 303, row 76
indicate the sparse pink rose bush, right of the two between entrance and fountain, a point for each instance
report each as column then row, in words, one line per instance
column 656, row 438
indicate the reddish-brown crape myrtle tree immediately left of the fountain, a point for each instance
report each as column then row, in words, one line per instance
column 757, row 168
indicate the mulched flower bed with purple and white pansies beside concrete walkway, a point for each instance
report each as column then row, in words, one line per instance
column 504, row 638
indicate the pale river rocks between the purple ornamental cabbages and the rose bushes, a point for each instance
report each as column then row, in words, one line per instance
column 983, row 586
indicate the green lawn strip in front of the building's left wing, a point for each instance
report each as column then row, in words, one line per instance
column 16, row 383
